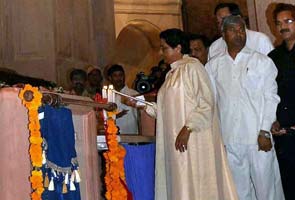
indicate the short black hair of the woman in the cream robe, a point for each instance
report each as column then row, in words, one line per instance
column 174, row 37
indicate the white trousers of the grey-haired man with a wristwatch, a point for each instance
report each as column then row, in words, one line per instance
column 255, row 173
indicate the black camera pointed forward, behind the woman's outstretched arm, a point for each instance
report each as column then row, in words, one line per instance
column 144, row 83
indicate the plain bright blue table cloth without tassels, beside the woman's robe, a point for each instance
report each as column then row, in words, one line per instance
column 139, row 166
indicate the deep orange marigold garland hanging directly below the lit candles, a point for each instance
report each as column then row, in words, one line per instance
column 115, row 174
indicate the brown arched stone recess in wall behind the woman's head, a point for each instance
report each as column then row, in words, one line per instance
column 137, row 48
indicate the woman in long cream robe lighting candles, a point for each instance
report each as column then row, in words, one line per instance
column 190, row 159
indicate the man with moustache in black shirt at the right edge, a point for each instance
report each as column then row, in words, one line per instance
column 284, row 128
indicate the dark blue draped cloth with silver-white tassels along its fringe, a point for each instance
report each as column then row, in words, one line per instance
column 58, row 130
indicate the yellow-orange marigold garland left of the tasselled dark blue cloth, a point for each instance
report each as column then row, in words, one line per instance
column 35, row 138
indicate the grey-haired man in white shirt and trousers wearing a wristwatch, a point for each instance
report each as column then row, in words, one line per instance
column 246, row 96
